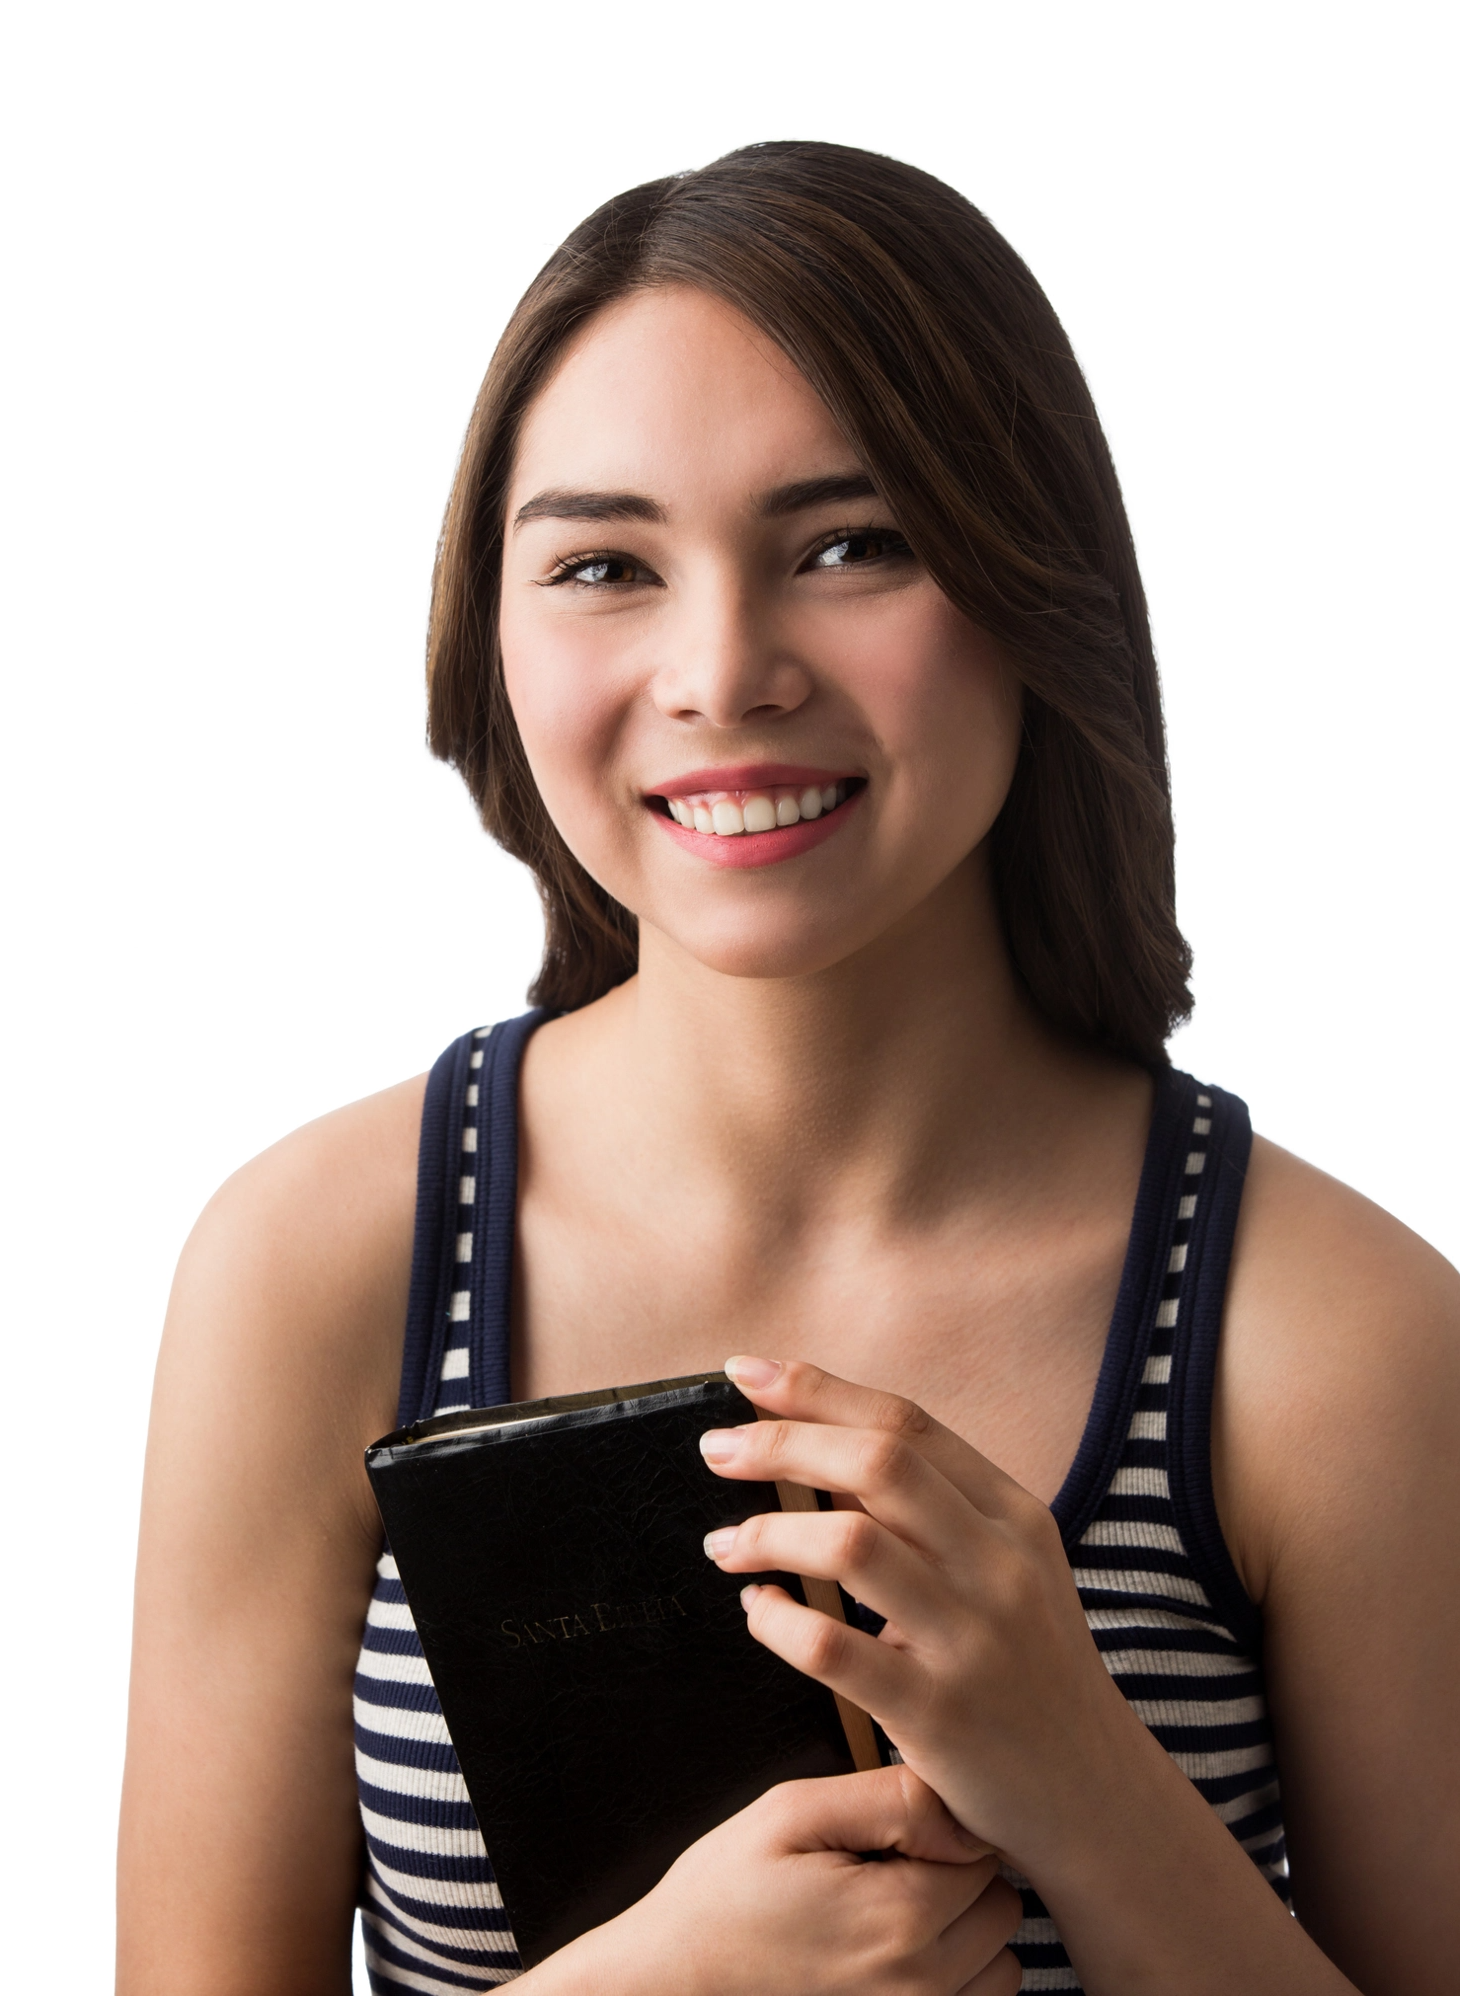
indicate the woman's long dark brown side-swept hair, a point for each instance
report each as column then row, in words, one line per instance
column 954, row 382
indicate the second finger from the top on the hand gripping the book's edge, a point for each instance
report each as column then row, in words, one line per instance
column 884, row 1472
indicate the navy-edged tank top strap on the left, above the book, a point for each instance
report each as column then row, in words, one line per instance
column 458, row 1326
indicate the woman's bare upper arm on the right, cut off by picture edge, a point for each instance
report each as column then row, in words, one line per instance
column 1337, row 1458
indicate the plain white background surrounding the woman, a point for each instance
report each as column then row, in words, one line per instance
column 257, row 260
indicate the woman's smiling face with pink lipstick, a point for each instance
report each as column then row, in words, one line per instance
column 752, row 714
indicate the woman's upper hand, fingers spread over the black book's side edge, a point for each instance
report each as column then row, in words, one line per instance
column 986, row 1676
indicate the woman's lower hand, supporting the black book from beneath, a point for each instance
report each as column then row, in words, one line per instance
column 778, row 1903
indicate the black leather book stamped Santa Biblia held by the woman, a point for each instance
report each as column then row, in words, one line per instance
column 606, row 1700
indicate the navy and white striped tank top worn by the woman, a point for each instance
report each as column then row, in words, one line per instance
column 1159, row 1590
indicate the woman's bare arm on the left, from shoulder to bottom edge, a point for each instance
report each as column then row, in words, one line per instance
column 281, row 1360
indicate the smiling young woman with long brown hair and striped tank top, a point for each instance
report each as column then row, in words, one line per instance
column 788, row 628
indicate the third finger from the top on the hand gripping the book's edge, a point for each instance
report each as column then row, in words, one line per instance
column 838, row 1546
